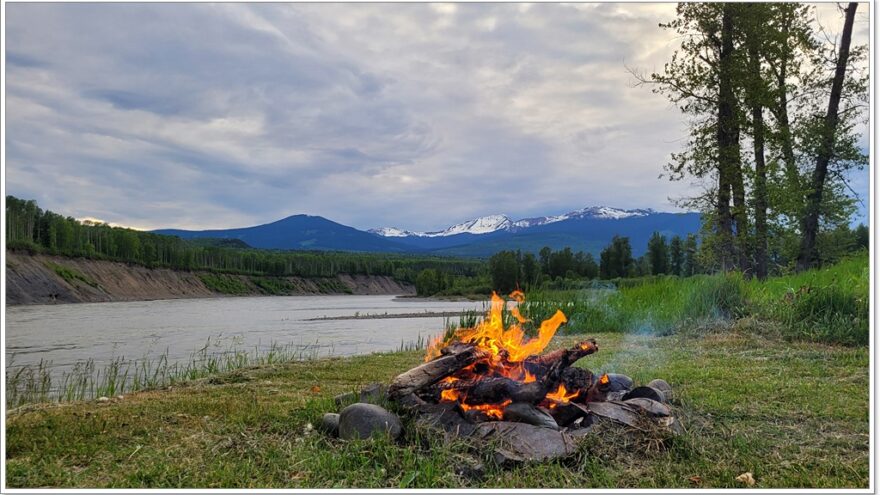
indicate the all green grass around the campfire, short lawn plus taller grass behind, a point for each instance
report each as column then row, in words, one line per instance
column 771, row 378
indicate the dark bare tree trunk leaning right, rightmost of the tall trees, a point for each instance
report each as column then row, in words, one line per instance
column 810, row 223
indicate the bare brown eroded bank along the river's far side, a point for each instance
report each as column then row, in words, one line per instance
column 40, row 279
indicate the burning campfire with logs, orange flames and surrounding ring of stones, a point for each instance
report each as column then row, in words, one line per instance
column 491, row 383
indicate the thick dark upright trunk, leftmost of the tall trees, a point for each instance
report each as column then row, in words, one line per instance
column 727, row 140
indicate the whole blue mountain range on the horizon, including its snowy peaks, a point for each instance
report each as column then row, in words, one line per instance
column 587, row 229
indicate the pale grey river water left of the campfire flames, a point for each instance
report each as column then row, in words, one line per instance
column 62, row 335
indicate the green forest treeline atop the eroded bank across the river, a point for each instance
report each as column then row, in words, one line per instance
column 32, row 229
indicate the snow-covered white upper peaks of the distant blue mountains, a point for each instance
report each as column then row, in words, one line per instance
column 494, row 223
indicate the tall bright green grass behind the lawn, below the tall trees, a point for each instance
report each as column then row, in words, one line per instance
column 825, row 305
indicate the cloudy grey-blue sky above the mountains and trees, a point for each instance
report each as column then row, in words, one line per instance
column 411, row 115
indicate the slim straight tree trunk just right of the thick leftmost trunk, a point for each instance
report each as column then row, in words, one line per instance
column 760, row 168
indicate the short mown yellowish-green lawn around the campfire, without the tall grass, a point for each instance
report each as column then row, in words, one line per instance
column 795, row 414
